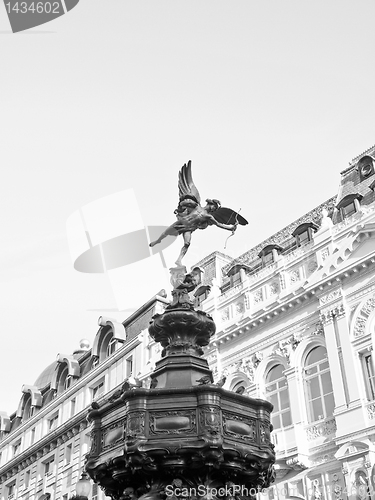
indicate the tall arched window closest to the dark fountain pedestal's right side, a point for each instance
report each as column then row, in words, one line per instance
column 278, row 395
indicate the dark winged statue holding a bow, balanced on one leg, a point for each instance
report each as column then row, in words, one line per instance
column 191, row 215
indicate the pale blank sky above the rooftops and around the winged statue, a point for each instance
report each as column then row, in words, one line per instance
column 270, row 99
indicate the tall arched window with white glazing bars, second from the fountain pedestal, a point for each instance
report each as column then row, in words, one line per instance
column 319, row 391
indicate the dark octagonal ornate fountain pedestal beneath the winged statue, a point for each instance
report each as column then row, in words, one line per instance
column 185, row 437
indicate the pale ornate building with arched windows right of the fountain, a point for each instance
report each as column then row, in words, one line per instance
column 295, row 319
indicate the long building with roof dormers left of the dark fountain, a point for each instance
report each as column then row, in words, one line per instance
column 44, row 443
